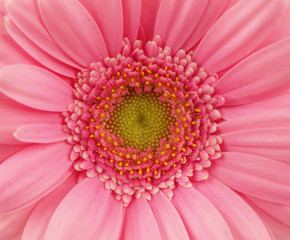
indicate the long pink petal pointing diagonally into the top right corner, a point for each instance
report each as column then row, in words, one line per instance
column 239, row 31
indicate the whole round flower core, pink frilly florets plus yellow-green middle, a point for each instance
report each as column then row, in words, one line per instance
column 144, row 121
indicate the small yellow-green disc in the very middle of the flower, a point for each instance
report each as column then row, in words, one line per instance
column 141, row 120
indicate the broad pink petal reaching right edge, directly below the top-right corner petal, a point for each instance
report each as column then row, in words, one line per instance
column 253, row 80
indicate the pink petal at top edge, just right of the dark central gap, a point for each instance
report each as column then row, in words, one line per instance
column 176, row 20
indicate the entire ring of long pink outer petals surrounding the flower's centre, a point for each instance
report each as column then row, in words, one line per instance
column 45, row 43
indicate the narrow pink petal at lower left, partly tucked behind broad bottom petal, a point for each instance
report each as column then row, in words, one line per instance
column 40, row 217
